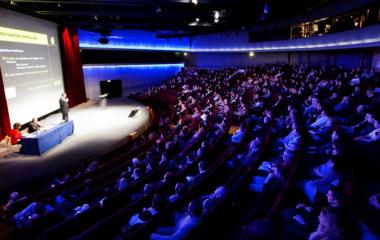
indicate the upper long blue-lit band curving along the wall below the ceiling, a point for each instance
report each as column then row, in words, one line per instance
column 143, row 40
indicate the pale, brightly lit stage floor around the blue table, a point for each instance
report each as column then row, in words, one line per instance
column 95, row 130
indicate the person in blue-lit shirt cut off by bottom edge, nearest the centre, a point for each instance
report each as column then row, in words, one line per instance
column 183, row 225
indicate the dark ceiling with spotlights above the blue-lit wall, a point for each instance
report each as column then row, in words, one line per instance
column 180, row 16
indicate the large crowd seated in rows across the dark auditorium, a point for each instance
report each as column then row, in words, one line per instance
column 325, row 131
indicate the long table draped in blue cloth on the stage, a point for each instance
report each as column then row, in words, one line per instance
column 39, row 142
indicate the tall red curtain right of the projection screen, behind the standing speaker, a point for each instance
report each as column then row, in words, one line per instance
column 72, row 67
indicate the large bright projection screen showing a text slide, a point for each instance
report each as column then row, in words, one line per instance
column 30, row 64
